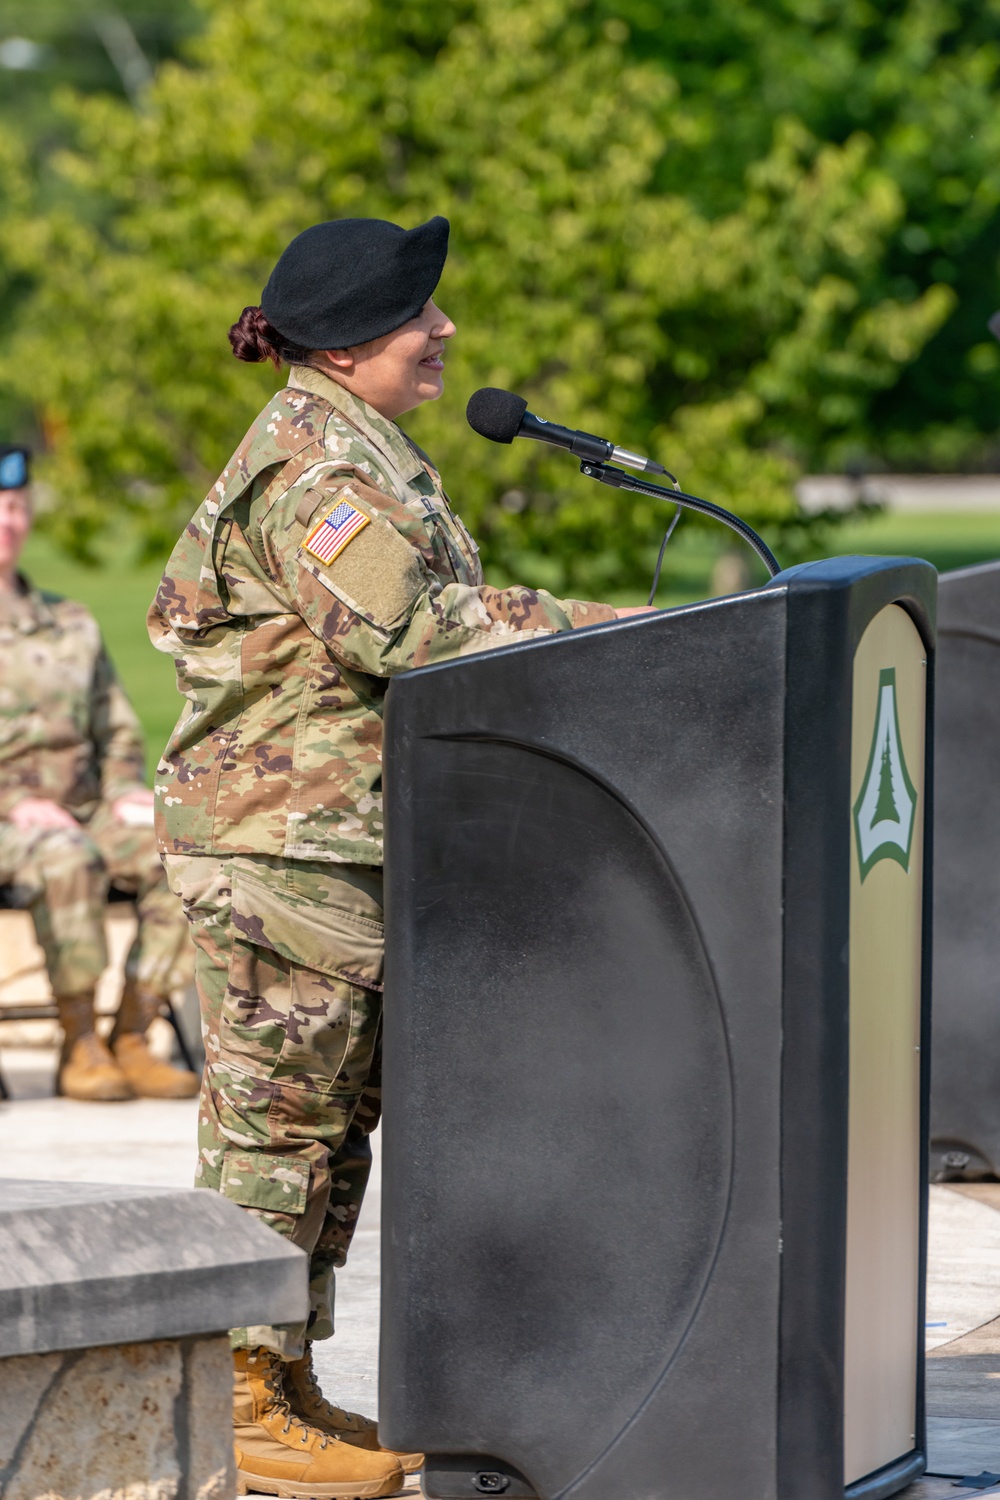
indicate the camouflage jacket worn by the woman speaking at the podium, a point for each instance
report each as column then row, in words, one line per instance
column 286, row 658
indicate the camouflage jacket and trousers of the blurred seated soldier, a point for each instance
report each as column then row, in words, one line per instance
column 68, row 734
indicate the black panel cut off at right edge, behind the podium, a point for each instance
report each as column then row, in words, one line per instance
column 966, row 1048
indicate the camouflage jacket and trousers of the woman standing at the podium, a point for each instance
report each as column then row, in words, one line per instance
column 271, row 793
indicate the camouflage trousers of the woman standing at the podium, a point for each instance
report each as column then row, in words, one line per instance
column 289, row 973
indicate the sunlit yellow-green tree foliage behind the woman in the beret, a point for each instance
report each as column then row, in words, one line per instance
column 731, row 313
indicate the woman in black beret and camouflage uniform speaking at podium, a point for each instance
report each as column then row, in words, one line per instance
column 325, row 560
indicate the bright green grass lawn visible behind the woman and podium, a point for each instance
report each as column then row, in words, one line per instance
column 119, row 593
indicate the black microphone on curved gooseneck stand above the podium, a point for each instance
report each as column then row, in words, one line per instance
column 501, row 416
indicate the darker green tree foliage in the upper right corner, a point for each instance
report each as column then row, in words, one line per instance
column 918, row 80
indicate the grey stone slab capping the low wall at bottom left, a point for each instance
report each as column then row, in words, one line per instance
column 86, row 1265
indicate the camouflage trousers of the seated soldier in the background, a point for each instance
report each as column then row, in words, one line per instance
column 62, row 877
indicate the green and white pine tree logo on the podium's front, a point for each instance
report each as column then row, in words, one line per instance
column 885, row 811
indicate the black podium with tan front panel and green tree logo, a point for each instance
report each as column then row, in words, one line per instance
column 654, row 1069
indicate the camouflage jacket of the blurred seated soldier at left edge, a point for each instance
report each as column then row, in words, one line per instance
column 67, row 730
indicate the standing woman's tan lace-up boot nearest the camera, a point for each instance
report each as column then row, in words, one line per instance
column 277, row 1454
